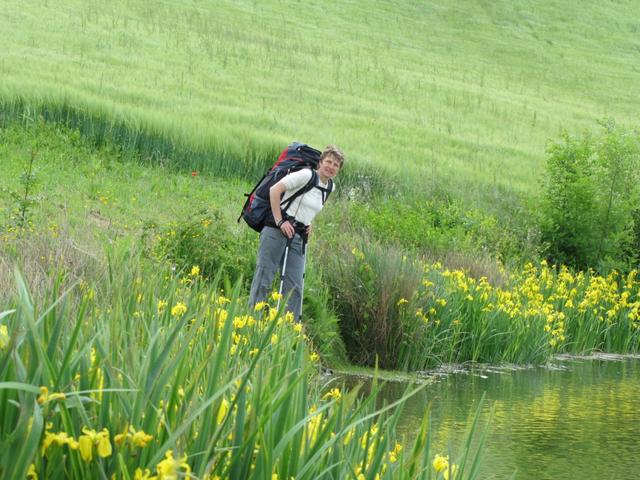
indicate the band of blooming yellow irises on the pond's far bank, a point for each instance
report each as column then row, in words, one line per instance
column 543, row 297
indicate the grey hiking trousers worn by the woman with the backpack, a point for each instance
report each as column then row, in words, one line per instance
column 269, row 261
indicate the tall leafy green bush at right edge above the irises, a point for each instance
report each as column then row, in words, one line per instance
column 591, row 192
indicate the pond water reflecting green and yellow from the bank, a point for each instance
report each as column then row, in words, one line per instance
column 574, row 419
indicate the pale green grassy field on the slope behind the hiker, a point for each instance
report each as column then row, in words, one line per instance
column 464, row 95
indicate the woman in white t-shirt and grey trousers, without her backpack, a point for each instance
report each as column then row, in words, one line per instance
column 293, row 227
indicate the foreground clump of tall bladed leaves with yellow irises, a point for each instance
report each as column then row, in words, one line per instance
column 166, row 375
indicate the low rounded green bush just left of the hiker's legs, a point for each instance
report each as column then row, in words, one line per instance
column 206, row 241
